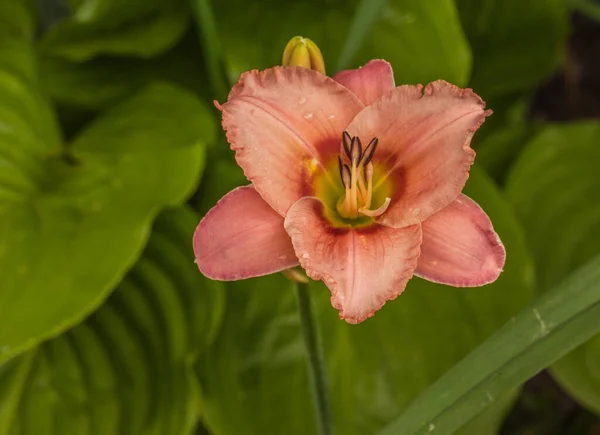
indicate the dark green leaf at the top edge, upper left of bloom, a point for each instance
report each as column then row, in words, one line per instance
column 134, row 27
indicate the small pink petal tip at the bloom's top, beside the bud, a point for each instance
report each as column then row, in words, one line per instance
column 370, row 82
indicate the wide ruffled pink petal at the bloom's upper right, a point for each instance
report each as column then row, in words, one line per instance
column 424, row 140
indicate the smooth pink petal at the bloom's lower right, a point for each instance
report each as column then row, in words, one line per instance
column 460, row 247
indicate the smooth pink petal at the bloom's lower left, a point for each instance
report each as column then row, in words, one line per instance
column 242, row 237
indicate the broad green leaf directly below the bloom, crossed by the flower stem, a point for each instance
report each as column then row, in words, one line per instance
column 254, row 378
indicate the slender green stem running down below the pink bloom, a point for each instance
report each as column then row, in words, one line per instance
column 316, row 362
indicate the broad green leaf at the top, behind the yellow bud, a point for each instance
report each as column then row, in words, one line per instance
column 422, row 40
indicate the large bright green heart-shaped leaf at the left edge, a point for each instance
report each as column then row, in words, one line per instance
column 73, row 218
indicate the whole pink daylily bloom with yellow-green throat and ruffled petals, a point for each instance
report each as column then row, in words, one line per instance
column 356, row 180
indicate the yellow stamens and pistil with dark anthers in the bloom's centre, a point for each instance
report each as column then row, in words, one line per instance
column 356, row 173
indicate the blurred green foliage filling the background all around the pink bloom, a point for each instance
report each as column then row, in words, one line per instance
column 106, row 119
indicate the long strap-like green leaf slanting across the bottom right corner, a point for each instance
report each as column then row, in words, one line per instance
column 539, row 335
